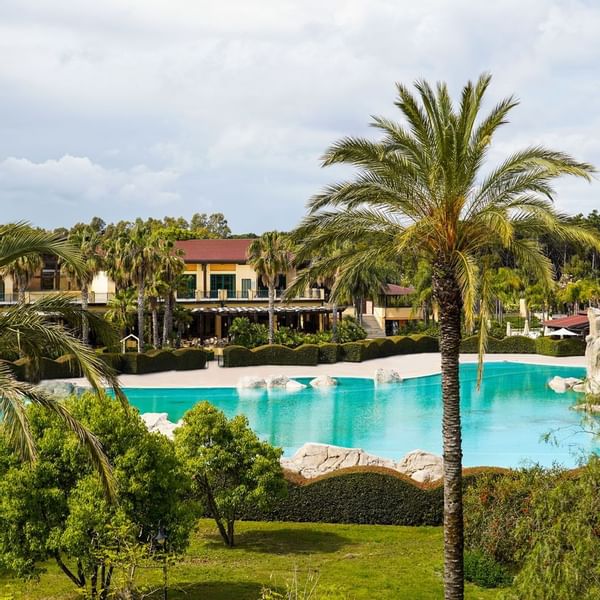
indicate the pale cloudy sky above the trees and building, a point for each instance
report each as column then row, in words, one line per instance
column 122, row 109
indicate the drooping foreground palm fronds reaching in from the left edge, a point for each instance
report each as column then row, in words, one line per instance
column 32, row 331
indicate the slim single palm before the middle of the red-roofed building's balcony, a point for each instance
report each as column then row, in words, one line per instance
column 269, row 256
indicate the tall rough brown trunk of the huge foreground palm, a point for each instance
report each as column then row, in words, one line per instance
column 447, row 293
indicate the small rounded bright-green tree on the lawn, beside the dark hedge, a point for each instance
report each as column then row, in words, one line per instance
column 231, row 469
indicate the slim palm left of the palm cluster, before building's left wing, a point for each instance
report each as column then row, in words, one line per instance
column 87, row 240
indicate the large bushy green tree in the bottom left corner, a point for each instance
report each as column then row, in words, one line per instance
column 55, row 509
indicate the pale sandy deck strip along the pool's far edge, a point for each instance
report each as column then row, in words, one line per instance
column 407, row 365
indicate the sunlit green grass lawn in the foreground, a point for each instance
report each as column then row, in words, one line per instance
column 359, row 562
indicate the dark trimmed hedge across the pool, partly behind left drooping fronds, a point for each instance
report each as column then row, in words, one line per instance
column 154, row 361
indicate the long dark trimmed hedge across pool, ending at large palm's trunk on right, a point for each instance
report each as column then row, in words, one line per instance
column 310, row 354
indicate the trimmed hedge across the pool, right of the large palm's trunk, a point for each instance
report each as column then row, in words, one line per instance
column 524, row 345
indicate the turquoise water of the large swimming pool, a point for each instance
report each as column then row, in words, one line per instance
column 503, row 422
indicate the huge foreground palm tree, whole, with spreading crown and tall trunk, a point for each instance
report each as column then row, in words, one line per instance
column 420, row 191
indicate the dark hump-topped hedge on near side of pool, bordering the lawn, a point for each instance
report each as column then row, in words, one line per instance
column 362, row 498
